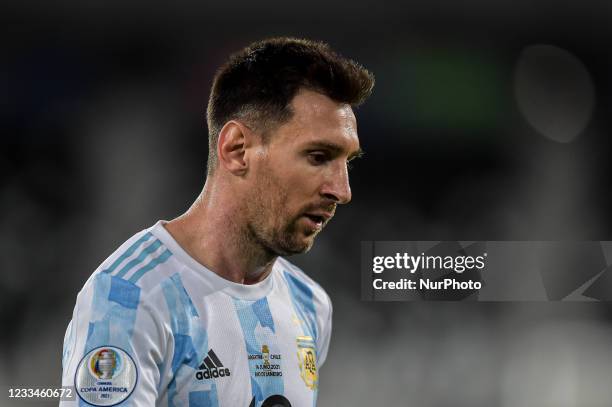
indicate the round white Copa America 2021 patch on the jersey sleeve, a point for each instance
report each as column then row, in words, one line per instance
column 106, row 376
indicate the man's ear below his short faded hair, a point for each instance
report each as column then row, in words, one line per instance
column 234, row 140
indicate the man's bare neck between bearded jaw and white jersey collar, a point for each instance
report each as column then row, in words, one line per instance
column 209, row 232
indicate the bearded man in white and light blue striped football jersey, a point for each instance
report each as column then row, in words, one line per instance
column 202, row 310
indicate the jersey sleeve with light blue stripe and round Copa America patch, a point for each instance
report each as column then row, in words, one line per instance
column 114, row 346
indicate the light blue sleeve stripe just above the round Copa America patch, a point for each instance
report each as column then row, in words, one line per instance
column 114, row 307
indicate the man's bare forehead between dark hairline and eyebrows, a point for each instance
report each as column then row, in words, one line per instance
column 317, row 118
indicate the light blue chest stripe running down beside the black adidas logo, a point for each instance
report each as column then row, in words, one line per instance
column 190, row 338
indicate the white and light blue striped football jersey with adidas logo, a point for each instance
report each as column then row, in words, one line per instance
column 153, row 327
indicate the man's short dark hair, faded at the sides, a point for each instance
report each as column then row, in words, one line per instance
column 258, row 83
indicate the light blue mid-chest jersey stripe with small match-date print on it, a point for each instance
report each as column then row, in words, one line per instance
column 258, row 330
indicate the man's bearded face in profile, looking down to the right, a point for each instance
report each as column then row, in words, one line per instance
column 300, row 175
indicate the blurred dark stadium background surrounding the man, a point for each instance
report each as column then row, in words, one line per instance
column 489, row 121
